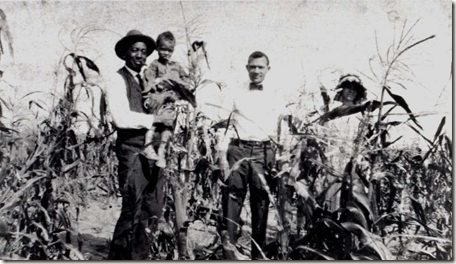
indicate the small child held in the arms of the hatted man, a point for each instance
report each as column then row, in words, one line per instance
column 165, row 82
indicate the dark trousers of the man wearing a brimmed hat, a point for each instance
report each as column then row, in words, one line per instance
column 142, row 186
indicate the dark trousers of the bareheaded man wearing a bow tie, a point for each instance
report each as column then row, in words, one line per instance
column 235, row 192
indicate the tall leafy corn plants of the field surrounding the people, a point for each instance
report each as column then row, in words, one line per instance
column 391, row 203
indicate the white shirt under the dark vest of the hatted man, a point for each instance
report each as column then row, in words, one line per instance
column 119, row 106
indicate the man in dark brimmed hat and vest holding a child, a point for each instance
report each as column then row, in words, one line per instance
column 140, row 181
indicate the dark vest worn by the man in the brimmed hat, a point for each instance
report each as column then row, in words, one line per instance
column 132, row 136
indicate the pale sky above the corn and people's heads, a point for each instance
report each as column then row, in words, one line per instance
column 307, row 41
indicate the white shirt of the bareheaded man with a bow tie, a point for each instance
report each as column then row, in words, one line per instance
column 256, row 112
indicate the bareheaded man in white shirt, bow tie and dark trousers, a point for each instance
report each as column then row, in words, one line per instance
column 256, row 110
